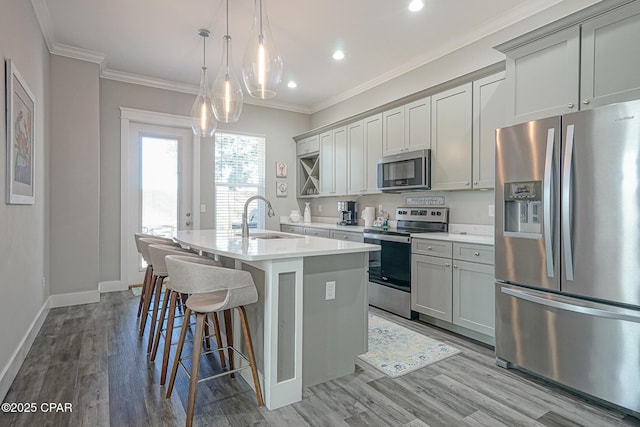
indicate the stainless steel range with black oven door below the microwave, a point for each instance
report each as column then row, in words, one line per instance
column 390, row 268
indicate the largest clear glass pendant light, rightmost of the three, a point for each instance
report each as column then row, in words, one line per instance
column 262, row 65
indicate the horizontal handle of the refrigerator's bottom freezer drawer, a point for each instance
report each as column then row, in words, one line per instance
column 594, row 310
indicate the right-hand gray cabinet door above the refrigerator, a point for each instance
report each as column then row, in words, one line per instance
column 611, row 58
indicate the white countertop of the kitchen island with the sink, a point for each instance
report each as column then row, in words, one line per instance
column 229, row 243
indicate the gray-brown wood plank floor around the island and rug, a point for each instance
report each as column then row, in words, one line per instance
column 91, row 356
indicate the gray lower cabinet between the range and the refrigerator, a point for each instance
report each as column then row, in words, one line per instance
column 454, row 282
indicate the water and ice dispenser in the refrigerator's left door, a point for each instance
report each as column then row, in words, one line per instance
column 523, row 209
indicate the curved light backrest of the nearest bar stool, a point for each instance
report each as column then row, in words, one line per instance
column 193, row 276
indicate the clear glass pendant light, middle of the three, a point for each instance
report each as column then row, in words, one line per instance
column 227, row 92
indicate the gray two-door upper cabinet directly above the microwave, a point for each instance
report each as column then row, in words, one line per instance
column 407, row 127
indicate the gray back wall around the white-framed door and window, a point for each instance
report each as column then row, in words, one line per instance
column 278, row 126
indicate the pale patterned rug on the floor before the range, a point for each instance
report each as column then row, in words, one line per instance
column 396, row 350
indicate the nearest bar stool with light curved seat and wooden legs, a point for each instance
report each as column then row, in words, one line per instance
column 212, row 289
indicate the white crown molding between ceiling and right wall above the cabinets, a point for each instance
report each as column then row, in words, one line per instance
column 491, row 27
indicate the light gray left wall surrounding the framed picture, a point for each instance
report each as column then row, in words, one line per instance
column 24, row 245
